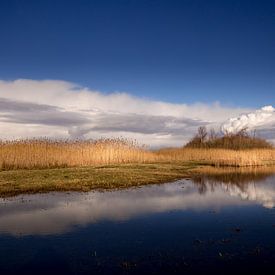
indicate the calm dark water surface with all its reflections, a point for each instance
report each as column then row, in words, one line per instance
column 218, row 223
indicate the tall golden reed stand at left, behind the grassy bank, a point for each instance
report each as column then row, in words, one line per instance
column 29, row 154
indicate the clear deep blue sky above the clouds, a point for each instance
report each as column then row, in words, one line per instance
column 175, row 51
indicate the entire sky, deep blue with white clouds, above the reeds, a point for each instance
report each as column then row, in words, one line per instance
column 149, row 70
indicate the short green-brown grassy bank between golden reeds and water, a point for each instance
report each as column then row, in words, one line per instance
column 14, row 182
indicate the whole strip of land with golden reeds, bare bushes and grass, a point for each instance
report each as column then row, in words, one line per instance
column 41, row 165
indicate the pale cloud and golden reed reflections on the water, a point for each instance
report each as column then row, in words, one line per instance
column 213, row 189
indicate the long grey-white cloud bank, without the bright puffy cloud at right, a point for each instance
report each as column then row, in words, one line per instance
column 30, row 108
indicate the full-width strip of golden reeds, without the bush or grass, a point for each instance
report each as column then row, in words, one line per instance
column 43, row 153
